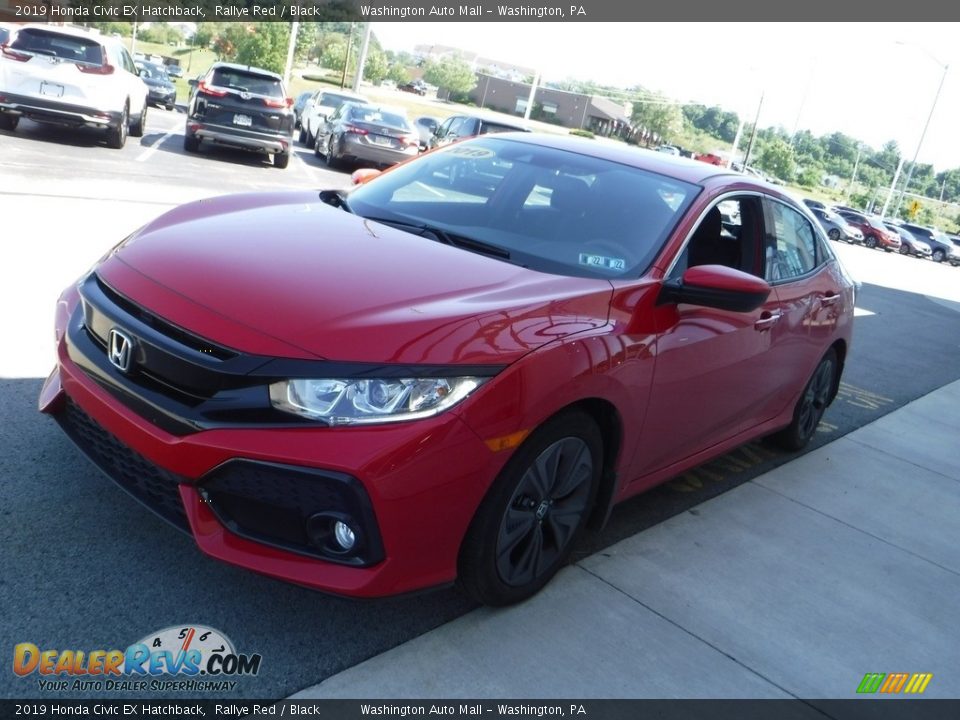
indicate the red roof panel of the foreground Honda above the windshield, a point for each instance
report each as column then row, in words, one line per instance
column 681, row 168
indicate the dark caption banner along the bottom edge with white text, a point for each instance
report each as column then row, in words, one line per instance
column 861, row 709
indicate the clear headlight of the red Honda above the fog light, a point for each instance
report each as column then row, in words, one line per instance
column 356, row 402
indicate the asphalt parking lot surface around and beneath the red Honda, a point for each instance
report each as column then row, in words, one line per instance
column 86, row 567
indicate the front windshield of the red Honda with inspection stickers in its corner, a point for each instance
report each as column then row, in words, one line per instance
column 547, row 209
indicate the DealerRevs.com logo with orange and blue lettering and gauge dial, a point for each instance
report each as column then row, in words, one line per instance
column 177, row 658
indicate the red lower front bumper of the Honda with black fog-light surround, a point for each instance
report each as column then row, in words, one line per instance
column 247, row 494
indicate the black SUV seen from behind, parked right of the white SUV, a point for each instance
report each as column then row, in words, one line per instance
column 243, row 107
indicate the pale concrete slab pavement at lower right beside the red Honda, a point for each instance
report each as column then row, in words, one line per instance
column 795, row 584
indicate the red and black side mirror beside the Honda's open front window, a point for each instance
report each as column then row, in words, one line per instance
column 716, row 286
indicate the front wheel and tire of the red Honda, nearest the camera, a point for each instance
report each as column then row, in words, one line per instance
column 530, row 519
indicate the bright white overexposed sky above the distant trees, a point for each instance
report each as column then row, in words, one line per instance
column 873, row 81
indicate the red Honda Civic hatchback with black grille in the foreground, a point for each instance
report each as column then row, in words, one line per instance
column 446, row 373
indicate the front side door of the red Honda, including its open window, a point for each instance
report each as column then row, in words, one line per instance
column 713, row 376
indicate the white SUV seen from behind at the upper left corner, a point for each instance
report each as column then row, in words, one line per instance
column 71, row 78
